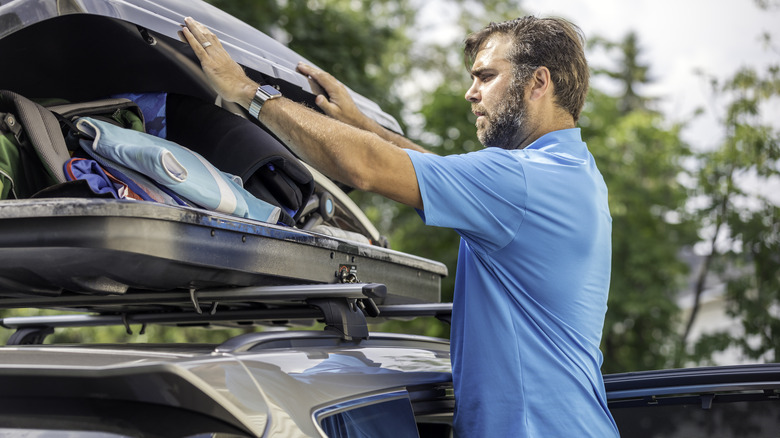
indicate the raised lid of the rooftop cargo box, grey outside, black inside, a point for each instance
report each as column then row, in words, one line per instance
column 87, row 49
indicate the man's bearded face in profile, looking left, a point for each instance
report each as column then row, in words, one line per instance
column 497, row 97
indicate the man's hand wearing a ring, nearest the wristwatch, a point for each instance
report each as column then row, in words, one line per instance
column 225, row 75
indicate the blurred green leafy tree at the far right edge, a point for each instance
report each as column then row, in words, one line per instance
column 744, row 230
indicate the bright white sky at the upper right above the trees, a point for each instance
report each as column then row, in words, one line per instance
column 678, row 37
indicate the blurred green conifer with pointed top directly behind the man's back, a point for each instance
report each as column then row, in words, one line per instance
column 641, row 159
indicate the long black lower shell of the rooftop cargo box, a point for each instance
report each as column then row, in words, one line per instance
column 55, row 247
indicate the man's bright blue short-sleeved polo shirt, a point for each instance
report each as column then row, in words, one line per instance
column 531, row 285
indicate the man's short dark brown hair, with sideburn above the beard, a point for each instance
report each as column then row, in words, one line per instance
column 554, row 43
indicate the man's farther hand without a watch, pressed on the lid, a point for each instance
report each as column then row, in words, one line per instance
column 335, row 101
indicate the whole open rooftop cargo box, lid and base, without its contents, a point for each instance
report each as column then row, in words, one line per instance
column 121, row 258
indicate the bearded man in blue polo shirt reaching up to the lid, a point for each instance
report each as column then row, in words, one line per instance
column 531, row 208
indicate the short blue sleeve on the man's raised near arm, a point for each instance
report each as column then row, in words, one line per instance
column 480, row 194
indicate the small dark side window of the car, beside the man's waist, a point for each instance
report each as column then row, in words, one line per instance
column 388, row 416
